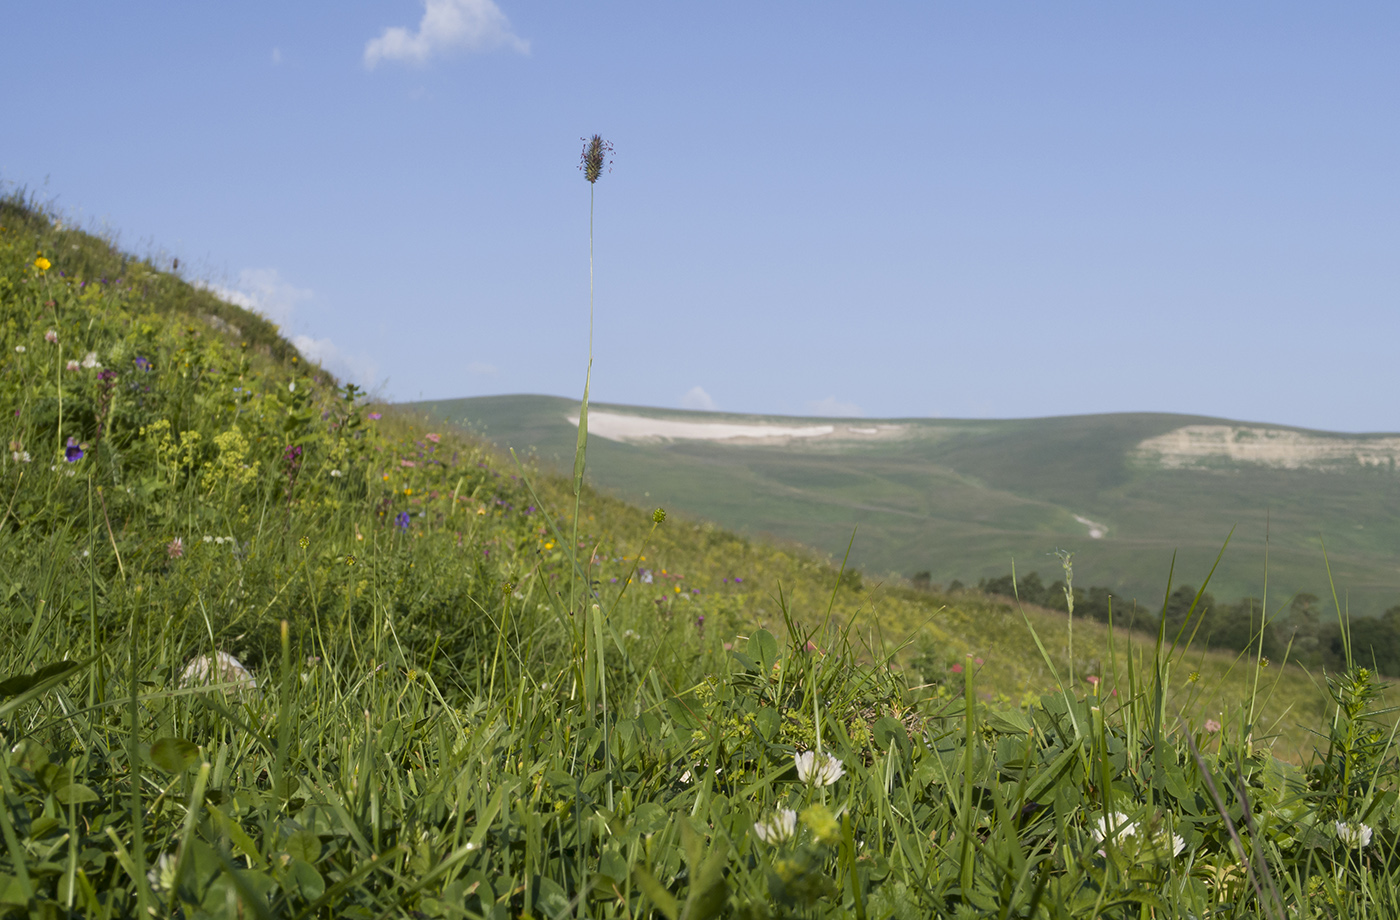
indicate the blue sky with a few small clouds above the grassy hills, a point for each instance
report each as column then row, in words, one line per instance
column 888, row 209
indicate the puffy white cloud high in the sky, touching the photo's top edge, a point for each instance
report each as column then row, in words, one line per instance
column 475, row 26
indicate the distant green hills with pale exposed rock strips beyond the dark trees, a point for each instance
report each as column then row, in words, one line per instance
column 962, row 499
